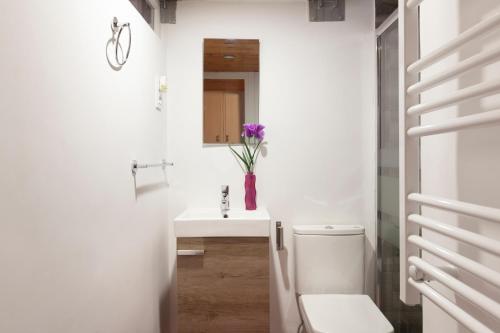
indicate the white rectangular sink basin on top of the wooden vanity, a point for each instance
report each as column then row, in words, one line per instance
column 210, row 223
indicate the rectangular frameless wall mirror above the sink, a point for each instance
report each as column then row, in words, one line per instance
column 230, row 88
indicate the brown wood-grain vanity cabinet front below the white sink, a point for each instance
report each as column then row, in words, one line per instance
column 227, row 289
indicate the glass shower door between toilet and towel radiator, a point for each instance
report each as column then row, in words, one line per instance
column 405, row 319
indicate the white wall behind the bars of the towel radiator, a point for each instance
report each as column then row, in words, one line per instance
column 464, row 165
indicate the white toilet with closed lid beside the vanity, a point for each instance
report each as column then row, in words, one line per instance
column 329, row 281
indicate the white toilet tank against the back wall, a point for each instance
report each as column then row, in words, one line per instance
column 329, row 259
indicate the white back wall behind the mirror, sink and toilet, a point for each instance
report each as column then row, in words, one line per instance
column 317, row 99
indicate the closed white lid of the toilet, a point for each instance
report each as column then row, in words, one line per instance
column 342, row 313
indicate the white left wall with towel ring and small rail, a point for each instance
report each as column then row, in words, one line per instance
column 79, row 252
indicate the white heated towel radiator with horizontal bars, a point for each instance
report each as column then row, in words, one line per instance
column 413, row 266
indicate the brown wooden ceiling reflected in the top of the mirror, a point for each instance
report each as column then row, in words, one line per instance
column 231, row 55
